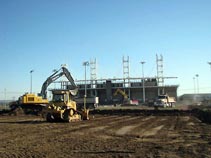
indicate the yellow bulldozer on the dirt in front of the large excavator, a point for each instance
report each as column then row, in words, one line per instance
column 64, row 108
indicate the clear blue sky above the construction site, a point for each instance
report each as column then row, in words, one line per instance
column 43, row 34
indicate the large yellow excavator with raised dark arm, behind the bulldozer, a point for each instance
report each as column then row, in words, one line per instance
column 32, row 103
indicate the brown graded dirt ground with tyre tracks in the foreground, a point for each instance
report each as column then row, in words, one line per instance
column 169, row 136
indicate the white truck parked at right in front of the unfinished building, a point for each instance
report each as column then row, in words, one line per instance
column 164, row 101
